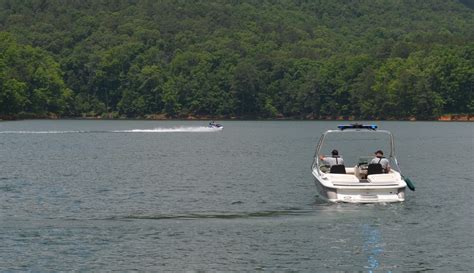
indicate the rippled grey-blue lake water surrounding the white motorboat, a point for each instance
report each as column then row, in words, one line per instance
column 176, row 196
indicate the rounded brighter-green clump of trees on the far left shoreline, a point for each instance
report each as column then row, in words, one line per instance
column 30, row 80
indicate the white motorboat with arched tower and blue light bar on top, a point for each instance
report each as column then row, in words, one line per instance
column 362, row 182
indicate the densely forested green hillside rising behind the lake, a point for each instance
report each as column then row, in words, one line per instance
column 377, row 59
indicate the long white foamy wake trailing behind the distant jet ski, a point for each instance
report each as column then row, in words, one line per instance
column 200, row 129
